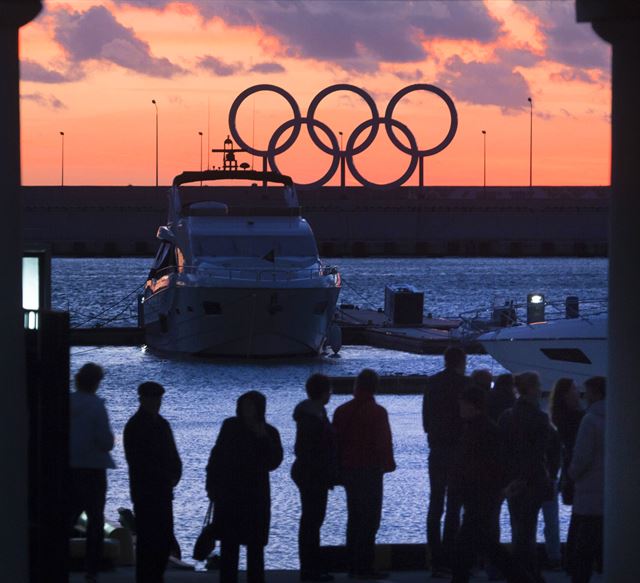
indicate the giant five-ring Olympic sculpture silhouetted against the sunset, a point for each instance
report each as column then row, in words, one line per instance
column 338, row 154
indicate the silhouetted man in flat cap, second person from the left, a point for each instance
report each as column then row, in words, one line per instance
column 154, row 471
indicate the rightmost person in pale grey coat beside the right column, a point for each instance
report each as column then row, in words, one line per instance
column 587, row 471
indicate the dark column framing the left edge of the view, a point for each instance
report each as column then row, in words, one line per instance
column 13, row 406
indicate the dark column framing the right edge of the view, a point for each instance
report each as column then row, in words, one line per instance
column 619, row 24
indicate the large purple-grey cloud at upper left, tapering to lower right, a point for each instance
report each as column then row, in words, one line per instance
column 97, row 35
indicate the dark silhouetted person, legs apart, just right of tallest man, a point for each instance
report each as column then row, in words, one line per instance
column 479, row 477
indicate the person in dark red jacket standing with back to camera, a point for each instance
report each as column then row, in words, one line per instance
column 366, row 454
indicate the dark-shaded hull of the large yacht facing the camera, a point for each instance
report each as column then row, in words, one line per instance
column 239, row 322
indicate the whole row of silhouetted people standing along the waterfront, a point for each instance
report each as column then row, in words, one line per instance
column 489, row 441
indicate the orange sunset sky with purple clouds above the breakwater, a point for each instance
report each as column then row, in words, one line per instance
column 90, row 68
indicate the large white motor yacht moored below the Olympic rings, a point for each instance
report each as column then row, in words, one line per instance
column 235, row 281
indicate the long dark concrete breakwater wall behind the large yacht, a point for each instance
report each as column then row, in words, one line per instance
column 354, row 221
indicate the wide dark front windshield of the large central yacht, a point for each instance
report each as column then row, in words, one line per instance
column 255, row 246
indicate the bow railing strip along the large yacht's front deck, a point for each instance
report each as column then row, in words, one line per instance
column 248, row 273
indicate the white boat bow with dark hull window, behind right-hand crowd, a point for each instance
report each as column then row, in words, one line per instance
column 555, row 347
